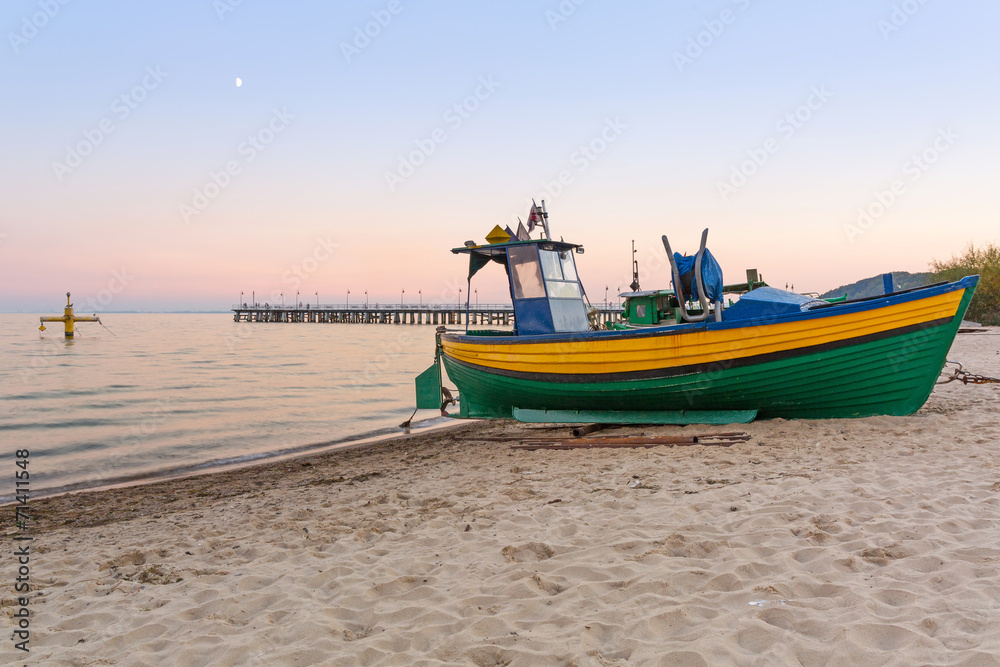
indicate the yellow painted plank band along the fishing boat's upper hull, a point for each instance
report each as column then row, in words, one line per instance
column 622, row 354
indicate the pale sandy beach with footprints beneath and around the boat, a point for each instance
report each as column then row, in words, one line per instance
column 865, row 542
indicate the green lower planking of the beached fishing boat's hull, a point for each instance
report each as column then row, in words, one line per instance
column 890, row 376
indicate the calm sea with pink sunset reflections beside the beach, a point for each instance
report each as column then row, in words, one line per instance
column 171, row 394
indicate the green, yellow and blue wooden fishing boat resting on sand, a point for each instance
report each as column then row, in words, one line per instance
column 683, row 355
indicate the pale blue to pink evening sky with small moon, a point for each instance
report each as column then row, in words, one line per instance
column 820, row 143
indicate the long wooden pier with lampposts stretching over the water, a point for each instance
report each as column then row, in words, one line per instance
column 487, row 315
